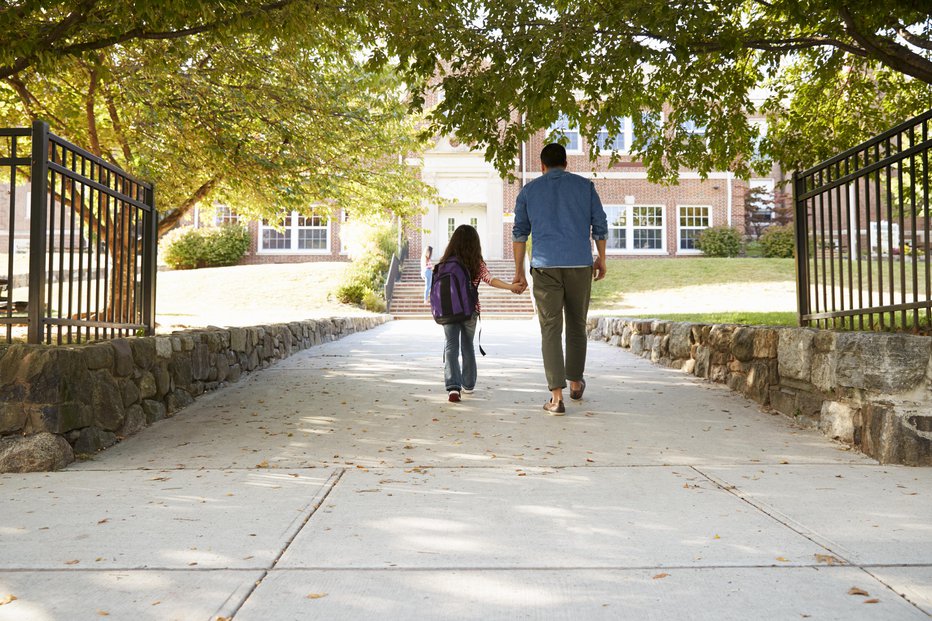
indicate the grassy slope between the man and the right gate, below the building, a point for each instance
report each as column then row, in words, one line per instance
column 632, row 275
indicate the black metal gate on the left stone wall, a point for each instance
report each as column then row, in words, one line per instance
column 81, row 243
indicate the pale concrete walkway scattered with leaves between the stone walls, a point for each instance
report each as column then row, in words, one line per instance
column 340, row 484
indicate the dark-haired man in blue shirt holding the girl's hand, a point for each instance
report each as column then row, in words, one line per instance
column 563, row 212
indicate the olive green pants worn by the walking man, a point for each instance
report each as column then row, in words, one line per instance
column 562, row 292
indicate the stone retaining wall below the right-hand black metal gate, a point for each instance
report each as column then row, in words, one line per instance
column 870, row 390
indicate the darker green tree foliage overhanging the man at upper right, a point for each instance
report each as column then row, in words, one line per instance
column 508, row 68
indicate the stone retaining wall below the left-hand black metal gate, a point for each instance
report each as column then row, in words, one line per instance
column 59, row 401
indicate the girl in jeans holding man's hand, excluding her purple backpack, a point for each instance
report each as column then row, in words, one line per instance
column 465, row 246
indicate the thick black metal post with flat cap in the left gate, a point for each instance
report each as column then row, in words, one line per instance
column 37, row 233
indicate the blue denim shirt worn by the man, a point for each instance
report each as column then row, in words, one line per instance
column 563, row 212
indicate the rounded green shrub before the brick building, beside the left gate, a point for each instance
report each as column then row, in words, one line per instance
column 189, row 248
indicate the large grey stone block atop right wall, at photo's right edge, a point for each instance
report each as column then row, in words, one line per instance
column 885, row 363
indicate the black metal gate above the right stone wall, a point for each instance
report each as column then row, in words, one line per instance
column 862, row 234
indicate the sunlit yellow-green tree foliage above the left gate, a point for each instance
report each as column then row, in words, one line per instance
column 236, row 113
